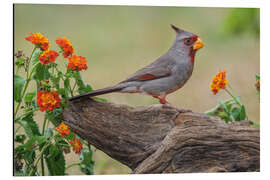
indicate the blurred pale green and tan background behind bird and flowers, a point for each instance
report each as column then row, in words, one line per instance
column 118, row 40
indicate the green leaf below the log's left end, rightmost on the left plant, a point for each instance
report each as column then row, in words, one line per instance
column 87, row 164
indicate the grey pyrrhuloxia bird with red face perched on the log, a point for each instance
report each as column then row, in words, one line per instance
column 165, row 75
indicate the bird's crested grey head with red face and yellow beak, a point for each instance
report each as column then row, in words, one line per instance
column 186, row 42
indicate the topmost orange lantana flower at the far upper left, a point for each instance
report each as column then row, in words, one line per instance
column 39, row 40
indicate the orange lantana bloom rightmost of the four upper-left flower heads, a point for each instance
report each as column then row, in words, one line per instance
column 77, row 63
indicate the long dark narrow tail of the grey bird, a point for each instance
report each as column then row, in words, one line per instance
column 97, row 92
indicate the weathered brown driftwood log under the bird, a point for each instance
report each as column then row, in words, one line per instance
column 155, row 139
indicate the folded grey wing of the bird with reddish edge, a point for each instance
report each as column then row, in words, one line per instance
column 158, row 69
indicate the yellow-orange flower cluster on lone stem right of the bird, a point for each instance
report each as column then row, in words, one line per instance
column 219, row 82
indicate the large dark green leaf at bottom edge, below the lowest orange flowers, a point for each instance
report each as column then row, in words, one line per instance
column 55, row 160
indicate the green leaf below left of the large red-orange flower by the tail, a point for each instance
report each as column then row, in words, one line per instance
column 30, row 126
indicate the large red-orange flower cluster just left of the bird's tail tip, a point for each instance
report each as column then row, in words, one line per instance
column 48, row 100
